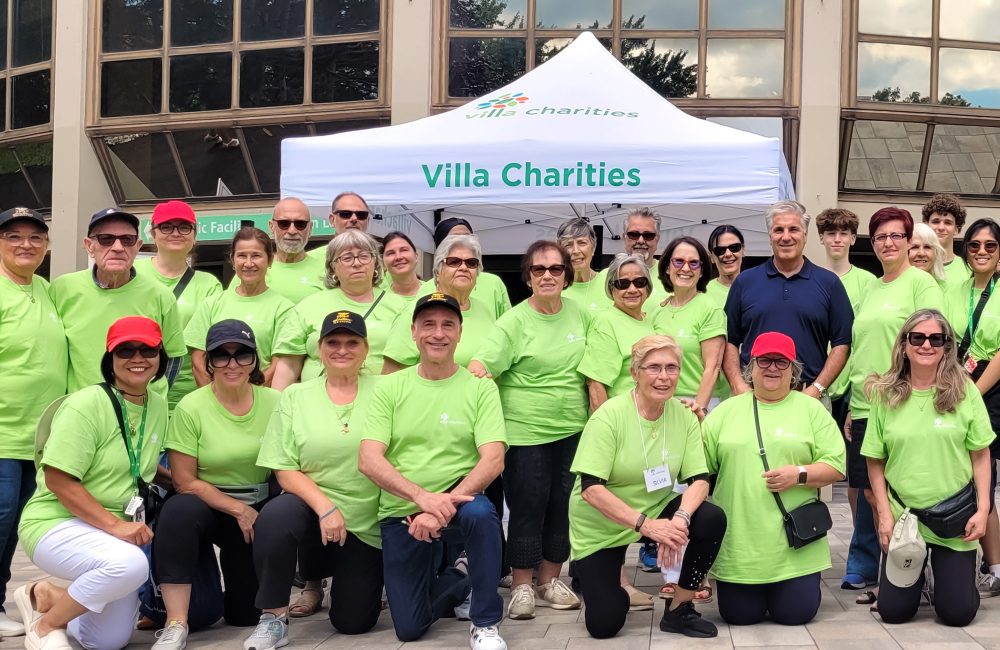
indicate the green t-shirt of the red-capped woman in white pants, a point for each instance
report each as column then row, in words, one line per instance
column 86, row 443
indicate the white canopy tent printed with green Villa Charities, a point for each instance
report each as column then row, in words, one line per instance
column 578, row 135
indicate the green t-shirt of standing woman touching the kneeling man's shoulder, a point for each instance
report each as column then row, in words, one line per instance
column 533, row 358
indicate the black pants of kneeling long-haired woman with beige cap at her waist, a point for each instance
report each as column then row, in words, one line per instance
column 956, row 599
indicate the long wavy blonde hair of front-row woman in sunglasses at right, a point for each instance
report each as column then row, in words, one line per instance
column 892, row 388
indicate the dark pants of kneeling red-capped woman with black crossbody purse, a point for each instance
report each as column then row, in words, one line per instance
column 788, row 602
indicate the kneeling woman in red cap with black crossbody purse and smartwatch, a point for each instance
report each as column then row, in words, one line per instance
column 772, row 450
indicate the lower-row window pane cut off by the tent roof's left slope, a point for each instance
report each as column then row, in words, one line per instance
column 477, row 66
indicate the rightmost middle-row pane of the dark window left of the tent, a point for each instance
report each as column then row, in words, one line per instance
column 345, row 72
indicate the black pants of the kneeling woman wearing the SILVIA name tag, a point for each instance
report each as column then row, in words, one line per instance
column 600, row 573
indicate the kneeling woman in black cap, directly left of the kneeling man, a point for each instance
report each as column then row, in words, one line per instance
column 329, row 510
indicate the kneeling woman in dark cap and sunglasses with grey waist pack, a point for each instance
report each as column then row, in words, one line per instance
column 213, row 442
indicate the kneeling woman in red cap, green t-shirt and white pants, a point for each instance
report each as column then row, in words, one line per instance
column 86, row 521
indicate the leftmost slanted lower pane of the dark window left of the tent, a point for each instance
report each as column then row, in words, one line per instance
column 144, row 166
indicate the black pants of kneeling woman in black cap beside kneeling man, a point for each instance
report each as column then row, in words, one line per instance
column 287, row 523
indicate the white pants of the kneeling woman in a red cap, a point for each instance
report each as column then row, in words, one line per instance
column 106, row 573
